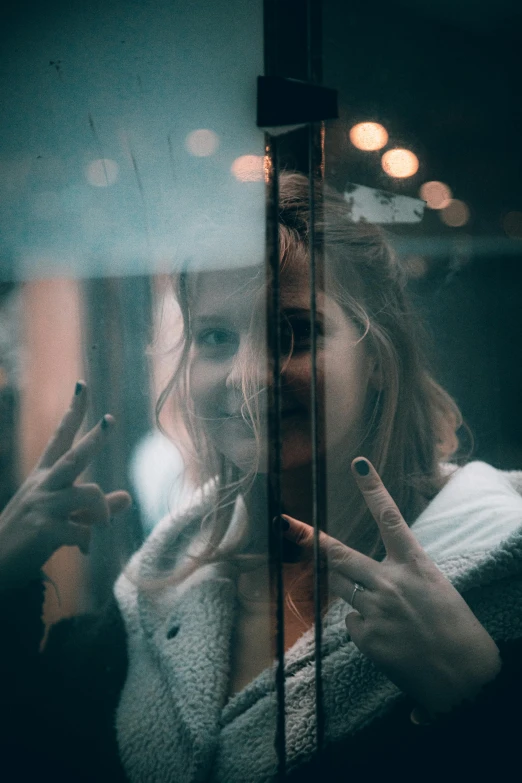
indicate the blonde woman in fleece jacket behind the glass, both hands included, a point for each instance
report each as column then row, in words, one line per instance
column 177, row 681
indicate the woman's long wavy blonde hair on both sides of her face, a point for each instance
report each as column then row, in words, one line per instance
column 411, row 422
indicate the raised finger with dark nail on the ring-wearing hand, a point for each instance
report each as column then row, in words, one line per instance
column 397, row 537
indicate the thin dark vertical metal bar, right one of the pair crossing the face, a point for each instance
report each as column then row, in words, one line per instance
column 315, row 175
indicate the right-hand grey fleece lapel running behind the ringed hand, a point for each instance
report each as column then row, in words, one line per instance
column 355, row 692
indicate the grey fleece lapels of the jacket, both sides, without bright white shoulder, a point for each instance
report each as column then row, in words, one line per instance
column 173, row 724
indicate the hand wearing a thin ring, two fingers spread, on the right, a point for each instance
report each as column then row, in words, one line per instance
column 407, row 617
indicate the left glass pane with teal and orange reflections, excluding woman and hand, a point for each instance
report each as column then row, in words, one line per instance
column 129, row 149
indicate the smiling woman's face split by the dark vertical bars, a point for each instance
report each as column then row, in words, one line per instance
column 228, row 315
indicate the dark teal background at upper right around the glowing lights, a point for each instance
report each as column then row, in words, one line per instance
column 444, row 79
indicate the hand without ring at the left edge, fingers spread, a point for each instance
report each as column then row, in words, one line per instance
column 50, row 510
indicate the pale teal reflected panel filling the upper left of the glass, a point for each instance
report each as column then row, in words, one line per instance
column 118, row 136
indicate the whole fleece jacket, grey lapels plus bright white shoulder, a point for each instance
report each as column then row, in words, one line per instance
column 174, row 723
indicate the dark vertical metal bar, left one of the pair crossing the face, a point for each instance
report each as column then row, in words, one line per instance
column 274, row 358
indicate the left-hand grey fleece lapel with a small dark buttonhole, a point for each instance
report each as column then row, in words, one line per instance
column 168, row 719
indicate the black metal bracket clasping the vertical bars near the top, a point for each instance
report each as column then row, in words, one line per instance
column 282, row 101
